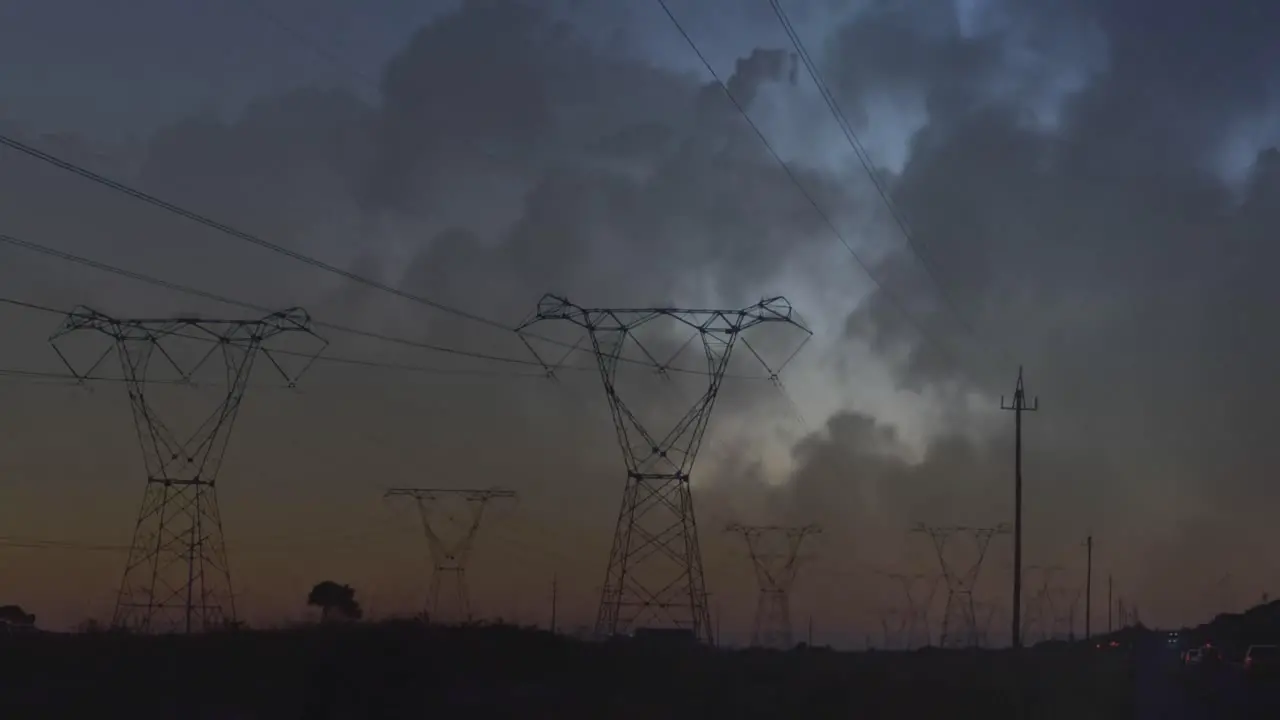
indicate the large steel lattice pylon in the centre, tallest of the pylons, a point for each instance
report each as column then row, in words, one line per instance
column 656, row 569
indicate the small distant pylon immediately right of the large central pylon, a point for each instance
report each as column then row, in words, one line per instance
column 776, row 559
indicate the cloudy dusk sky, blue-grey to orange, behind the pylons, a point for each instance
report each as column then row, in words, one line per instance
column 1091, row 192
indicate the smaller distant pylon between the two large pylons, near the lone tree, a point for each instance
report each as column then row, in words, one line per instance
column 450, row 557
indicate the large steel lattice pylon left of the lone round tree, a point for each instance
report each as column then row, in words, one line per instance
column 177, row 576
